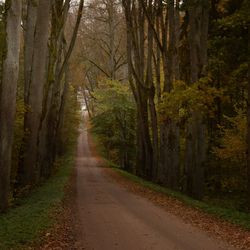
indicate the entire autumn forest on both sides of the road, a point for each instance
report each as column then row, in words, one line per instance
column 166, row 84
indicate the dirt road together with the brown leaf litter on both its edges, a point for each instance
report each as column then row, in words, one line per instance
column 106, row 211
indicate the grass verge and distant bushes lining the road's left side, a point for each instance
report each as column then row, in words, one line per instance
column 33, row 212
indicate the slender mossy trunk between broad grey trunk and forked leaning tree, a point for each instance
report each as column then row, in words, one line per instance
column 46, row 149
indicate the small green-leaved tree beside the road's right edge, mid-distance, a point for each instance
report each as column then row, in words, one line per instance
column 114, row 122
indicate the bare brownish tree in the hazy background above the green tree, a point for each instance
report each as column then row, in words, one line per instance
column 103, row 29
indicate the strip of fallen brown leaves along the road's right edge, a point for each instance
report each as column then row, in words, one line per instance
column 215, row 227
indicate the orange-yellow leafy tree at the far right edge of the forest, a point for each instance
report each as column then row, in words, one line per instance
column 232, row 153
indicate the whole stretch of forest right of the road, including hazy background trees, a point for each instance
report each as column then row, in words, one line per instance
column 169, row 99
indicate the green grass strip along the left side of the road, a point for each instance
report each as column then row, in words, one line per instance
column 25, row 223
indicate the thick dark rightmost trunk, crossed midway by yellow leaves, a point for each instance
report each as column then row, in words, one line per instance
column 195, row 154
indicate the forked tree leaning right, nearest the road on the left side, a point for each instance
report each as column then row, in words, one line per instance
column 60, row 86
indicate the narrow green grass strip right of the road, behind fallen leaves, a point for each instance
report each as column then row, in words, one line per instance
column 229, row 214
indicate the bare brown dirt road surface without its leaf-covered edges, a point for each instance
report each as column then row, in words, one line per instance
column 110, row 217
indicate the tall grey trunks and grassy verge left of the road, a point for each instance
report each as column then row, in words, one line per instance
column 39, row 116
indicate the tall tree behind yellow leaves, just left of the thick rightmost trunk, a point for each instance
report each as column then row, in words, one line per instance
column 165, row 31
